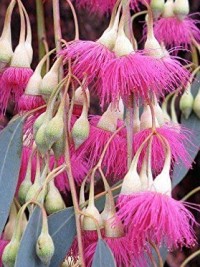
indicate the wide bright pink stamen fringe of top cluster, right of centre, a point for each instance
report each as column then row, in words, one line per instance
column 141, row 75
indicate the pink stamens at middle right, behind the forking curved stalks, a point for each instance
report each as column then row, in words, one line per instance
column 177, row 138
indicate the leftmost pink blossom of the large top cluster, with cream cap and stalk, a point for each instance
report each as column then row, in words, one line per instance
column 89, row 57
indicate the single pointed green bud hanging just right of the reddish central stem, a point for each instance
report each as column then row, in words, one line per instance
column 81, row 130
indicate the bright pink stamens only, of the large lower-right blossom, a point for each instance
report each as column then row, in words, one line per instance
column 158, row 218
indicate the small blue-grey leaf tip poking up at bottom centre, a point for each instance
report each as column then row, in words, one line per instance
column 103, row 256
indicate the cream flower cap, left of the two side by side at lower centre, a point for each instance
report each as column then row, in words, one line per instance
column 88, row 223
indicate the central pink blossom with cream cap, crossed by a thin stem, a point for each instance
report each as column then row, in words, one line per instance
column 102, row 128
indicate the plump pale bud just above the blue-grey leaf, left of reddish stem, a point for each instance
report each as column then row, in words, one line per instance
column 53, row 201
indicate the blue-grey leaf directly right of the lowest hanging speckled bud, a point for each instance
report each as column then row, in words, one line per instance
column 62, row 228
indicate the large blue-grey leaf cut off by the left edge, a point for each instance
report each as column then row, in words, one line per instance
column 10, row 157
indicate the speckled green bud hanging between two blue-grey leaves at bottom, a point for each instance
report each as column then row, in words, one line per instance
column 45, row 248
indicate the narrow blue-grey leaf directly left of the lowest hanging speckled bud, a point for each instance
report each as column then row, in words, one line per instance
column 27, row 251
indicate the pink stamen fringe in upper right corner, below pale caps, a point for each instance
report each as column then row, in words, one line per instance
column 175, row 33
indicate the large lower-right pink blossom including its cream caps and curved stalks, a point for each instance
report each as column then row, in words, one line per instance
column 153, row 215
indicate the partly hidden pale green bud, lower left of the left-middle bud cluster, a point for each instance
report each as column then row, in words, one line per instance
column 40, row 139
